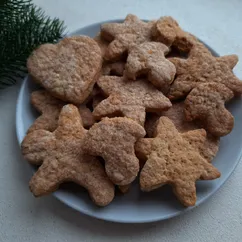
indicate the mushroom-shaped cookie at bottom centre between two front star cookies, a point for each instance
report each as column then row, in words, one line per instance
column 113, row 139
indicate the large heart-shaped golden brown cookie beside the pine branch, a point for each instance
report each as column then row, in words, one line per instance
column 68, row 69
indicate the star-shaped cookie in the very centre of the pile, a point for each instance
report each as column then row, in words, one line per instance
column 129, row 98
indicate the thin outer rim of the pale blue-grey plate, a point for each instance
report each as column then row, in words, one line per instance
column 101, row 216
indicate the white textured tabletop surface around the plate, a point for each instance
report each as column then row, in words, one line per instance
column 23, row 218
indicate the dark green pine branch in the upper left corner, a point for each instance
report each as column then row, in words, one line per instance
column 23, row 27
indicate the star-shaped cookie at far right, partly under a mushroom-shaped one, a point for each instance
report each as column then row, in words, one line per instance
column 202, row 67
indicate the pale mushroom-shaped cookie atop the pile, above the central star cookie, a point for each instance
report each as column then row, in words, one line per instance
column 149, row 58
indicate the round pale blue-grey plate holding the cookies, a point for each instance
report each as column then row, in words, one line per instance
column 137, row 206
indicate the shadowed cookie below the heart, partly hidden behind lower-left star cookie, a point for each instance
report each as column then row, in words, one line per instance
column 50, row 108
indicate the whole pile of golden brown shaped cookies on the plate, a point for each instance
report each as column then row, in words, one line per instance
column 146, row 97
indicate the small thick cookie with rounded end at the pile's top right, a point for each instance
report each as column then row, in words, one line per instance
column 168, row 31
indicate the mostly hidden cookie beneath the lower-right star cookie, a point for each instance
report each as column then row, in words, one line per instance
column 208, row 149
